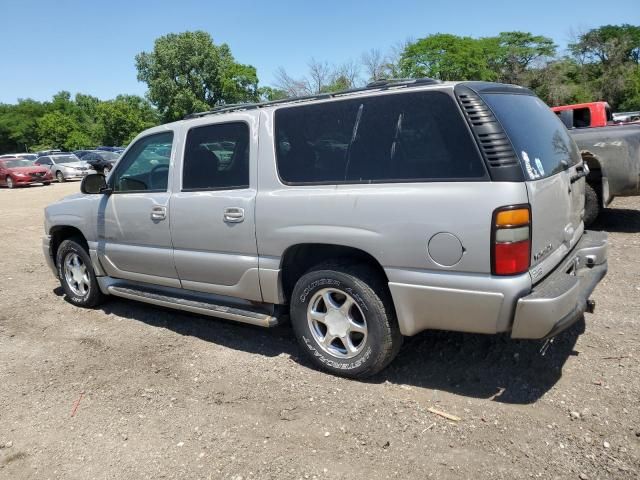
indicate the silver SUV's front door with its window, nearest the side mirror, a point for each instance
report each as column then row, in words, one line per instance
column 134, row 237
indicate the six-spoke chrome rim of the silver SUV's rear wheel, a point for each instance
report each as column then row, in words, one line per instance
column 337, row 323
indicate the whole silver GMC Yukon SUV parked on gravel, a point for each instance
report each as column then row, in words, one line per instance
column 364, row 216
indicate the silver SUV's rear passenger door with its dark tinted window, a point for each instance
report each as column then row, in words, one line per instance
column 212, row 222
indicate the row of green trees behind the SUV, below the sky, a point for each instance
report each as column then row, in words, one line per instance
column 188, row 72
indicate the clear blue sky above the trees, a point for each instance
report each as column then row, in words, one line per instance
column 89, row 46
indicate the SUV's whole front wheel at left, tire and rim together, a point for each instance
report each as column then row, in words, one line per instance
column 76, row 274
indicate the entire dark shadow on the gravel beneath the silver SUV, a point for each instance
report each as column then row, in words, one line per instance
column 492, row 367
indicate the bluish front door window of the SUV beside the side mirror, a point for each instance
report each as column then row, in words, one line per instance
column 145, row 168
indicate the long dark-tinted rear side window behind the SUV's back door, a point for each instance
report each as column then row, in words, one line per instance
column 418, row 136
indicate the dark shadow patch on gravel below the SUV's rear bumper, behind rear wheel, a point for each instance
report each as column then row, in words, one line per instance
column 493, row 367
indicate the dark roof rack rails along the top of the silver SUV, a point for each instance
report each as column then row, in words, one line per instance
column 382, row 84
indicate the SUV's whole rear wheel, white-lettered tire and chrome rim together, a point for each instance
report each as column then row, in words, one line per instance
column 344, row 319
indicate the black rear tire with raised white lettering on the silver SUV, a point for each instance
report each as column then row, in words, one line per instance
column 371, row 295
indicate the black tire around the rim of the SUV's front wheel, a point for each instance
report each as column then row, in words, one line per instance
column 93, row 296
